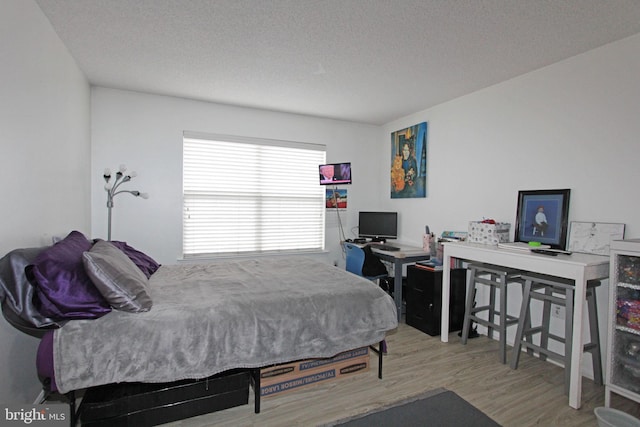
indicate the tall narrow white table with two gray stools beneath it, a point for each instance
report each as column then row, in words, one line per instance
column 579, row 267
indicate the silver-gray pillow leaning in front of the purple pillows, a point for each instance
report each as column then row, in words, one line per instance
column 117, row 278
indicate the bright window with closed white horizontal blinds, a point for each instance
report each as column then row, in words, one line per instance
column 246, row 195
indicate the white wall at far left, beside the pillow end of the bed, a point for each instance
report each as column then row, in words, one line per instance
column 44, row 140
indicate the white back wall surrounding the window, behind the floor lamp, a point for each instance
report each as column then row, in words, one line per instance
column 145, row 133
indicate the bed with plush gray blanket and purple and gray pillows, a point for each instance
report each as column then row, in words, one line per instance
column 184, row 321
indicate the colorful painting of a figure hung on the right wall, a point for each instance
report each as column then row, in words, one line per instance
column 409, row 162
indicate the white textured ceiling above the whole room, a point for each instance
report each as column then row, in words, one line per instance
column 369, row 61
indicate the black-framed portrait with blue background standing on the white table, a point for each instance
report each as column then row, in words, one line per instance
column 543, row 217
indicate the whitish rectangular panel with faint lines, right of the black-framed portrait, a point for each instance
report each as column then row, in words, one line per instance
column 594, row 237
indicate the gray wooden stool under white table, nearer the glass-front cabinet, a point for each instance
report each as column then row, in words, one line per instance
column 560, row 291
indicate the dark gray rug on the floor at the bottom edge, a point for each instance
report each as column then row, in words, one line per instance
column 437, row 408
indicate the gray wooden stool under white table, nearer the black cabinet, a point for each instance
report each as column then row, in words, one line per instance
column 499, row 278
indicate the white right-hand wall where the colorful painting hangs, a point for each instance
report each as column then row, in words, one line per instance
column 572, row 125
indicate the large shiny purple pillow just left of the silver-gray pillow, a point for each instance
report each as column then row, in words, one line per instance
column 63, row 288
